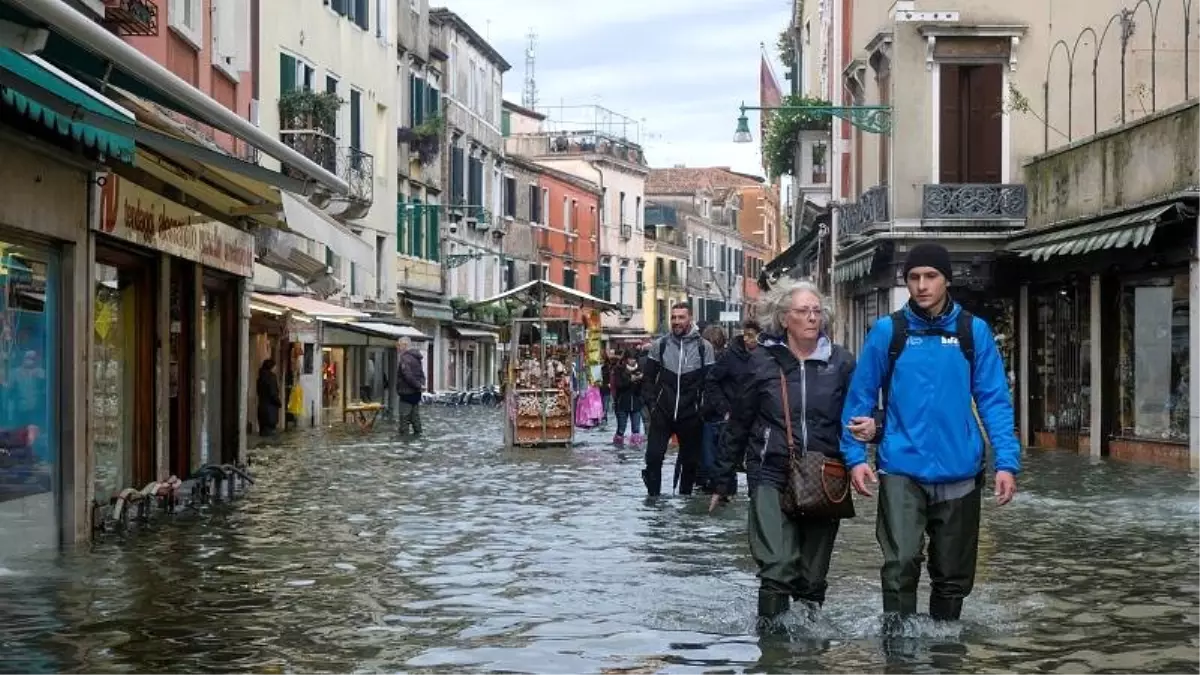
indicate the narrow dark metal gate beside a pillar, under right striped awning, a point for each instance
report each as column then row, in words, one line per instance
column 1067, row 381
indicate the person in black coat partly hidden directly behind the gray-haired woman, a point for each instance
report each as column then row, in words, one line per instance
column 722, row 389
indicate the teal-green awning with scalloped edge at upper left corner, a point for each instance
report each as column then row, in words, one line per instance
column 41, row 79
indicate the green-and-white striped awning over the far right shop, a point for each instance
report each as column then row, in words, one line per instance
column 1131, row 230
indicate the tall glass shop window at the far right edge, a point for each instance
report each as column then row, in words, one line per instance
column 1154, row 359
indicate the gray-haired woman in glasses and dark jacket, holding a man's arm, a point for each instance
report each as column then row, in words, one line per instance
column 793, row 401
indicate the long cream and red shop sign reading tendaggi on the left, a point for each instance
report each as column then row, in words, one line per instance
column 133, row 213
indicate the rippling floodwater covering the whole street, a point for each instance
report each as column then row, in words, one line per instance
column 451, row 555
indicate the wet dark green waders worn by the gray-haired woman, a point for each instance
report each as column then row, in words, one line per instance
column 793, row 554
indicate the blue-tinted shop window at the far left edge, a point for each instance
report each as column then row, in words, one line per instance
column 29, row 464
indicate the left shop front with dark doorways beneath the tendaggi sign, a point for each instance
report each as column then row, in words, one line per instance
column 169, row 336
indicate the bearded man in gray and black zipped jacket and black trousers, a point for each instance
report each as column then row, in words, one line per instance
column 674, row 386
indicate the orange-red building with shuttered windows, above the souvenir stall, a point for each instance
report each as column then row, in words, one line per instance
column 567, row 242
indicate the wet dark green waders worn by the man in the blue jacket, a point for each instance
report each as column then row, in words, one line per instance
column 907, row 517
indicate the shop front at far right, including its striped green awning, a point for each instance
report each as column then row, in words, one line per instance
column 1106, row 320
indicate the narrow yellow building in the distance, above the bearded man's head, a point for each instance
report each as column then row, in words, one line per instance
column 667, row 267
